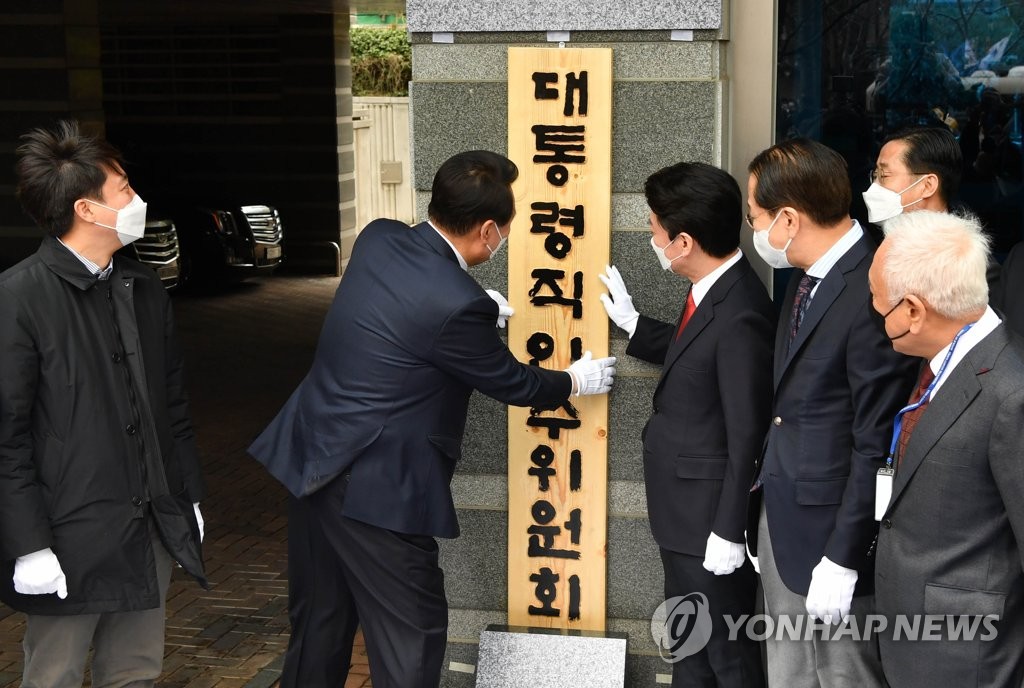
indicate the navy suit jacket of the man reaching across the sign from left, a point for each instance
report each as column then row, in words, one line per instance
column 408, row 337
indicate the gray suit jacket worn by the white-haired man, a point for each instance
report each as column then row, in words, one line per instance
column 952, row 539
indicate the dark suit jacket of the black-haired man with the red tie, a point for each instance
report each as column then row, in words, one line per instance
column 710, row 412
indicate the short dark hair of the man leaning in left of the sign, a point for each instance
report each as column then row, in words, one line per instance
column 473, row 188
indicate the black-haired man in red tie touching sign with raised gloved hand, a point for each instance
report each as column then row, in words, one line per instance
column 711, row 409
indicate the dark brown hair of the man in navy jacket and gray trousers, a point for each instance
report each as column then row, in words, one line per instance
column 806, row 176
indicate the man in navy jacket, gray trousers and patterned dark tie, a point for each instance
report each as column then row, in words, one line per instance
column 838, row 385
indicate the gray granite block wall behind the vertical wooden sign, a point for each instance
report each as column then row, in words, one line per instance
column 670, row 103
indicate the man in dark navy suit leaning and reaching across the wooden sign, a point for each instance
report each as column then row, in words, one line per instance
column 369, row 442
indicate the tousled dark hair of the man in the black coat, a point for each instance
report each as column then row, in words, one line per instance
column 58, row 167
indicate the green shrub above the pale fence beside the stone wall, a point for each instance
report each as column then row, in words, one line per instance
column 382, row 62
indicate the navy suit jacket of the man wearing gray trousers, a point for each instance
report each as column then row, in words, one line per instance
column 837, row 393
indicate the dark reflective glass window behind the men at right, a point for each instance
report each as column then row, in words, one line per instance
column 854, row 72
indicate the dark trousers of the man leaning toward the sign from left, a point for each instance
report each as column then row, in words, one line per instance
column 345, row 574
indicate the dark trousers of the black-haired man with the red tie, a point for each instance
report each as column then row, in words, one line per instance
column 723, row 663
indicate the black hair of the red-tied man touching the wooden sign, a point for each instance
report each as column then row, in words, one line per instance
column 701, row 200
